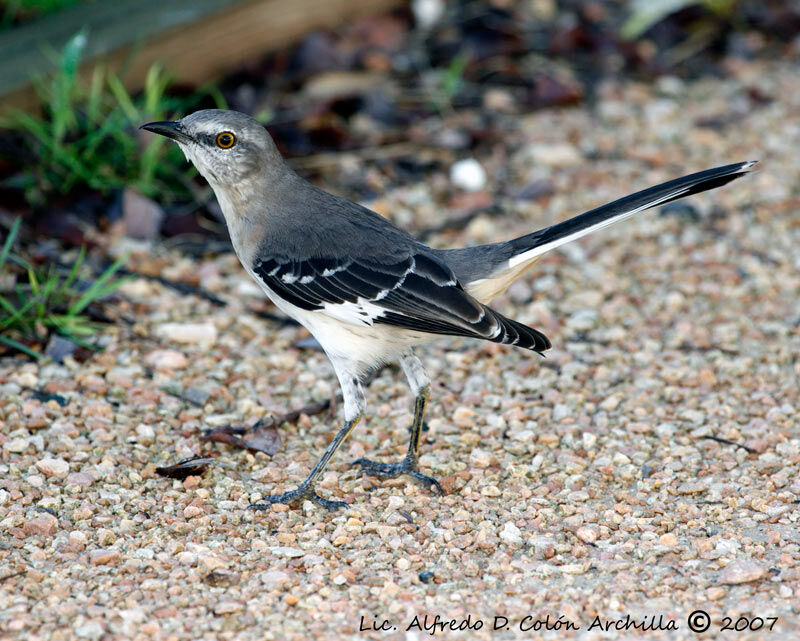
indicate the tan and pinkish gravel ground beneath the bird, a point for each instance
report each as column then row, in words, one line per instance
column 578, row 486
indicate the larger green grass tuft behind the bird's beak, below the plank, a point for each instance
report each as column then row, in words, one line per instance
column 86, row 137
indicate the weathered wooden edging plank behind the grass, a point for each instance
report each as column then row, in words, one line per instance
column 196, row 41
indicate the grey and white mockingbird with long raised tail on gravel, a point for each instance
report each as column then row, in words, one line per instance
column 366, row 290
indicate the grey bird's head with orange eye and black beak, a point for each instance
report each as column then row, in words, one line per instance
column 228, row 148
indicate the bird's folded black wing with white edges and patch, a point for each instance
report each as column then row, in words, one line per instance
column 417, row 292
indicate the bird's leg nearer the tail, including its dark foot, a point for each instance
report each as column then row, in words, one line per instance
column 421, row 386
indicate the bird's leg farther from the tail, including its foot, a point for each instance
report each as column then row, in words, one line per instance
column 354, row 405
